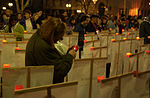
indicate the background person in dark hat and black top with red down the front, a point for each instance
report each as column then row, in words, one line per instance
column 92, row 25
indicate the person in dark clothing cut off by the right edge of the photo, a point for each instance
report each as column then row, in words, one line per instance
column 145, row 30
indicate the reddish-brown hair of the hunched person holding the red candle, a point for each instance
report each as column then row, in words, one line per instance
column 51, row 29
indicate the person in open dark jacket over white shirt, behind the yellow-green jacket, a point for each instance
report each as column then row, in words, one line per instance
column 27, row 21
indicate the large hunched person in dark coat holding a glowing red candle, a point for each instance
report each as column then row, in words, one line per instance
column 40, row 49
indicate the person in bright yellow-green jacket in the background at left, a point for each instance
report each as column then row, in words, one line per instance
column 15, row 27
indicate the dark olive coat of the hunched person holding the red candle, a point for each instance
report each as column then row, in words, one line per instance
column 39, row 52
